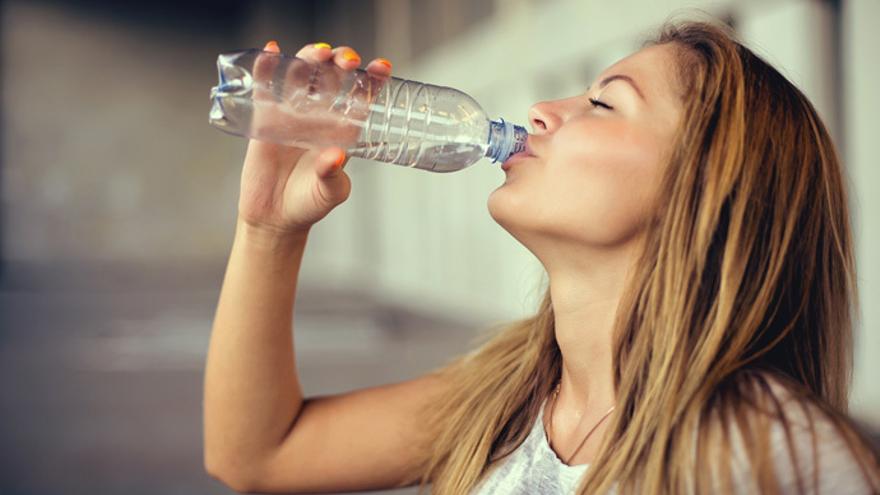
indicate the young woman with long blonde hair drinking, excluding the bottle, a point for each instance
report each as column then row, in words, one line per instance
column 695, row 337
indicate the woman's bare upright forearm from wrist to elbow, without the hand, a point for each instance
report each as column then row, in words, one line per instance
column 251, row 389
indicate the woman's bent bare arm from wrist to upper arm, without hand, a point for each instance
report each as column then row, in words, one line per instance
column 260, row 434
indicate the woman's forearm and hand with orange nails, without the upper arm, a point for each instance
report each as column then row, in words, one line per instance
column 284, row 191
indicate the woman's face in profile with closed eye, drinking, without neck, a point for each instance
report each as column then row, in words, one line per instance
column 595, row 171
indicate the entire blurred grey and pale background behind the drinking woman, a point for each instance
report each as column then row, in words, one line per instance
column 118, row 204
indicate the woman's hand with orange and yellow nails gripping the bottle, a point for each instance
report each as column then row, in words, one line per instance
column 286, row 189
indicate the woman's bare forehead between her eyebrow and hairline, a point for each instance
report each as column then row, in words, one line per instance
column 652, row 68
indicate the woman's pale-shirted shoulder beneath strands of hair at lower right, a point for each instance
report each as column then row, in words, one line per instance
column 806, row 444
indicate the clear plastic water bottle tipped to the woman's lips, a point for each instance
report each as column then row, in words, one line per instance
column 291, row 101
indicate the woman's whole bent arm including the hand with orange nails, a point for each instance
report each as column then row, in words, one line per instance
column 252, row 394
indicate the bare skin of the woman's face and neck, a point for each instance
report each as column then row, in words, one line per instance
column 580, row 206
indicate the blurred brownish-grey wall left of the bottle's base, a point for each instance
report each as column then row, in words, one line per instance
column 107, row 157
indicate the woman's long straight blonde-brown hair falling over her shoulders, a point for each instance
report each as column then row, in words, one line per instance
column 747, row 273
